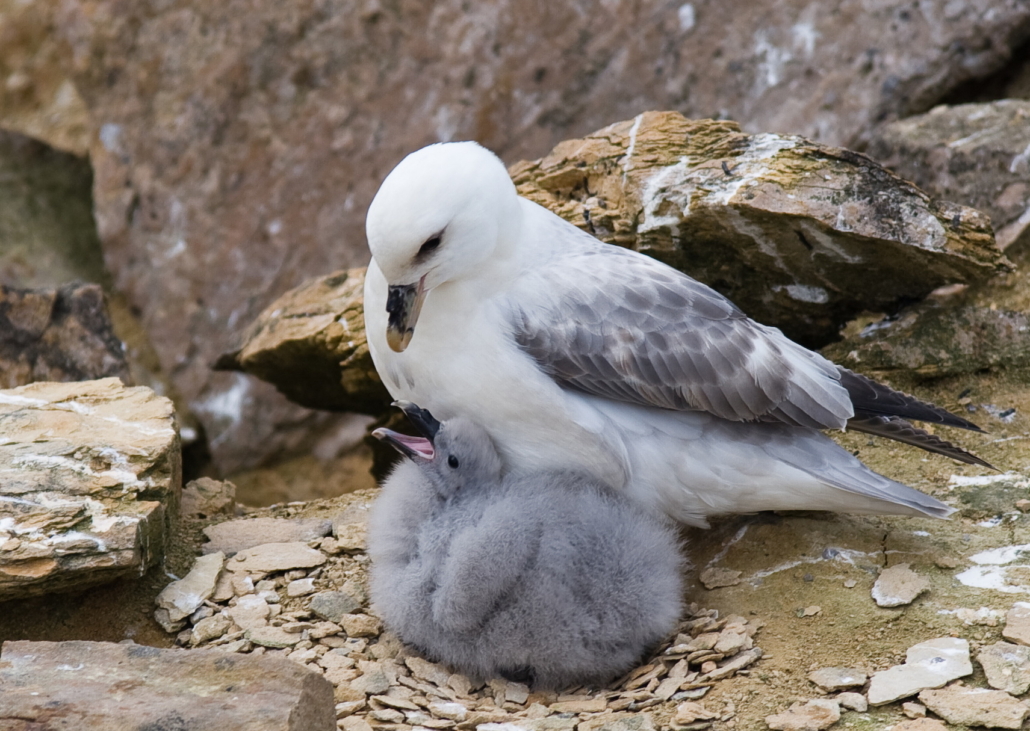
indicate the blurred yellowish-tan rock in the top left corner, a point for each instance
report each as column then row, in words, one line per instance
column 38, row 96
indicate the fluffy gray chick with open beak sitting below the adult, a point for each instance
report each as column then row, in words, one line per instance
column 545, row 579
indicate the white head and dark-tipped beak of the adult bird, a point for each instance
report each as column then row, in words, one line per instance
column 440, row 215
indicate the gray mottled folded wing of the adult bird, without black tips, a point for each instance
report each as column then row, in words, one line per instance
column 619, row 325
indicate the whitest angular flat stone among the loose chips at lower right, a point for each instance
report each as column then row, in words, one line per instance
column 930, row 665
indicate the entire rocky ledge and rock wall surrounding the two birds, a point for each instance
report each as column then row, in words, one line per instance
column 168, row 171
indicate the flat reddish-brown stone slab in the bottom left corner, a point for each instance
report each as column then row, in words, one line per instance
column 110, row 687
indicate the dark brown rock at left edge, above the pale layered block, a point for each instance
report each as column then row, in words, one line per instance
column 57, row 335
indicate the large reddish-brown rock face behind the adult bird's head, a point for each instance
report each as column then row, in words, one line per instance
column 238, row 166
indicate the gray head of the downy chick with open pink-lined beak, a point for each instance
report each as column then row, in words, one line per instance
column 455, row 456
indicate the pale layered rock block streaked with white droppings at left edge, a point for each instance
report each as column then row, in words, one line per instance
column 92, row 478
